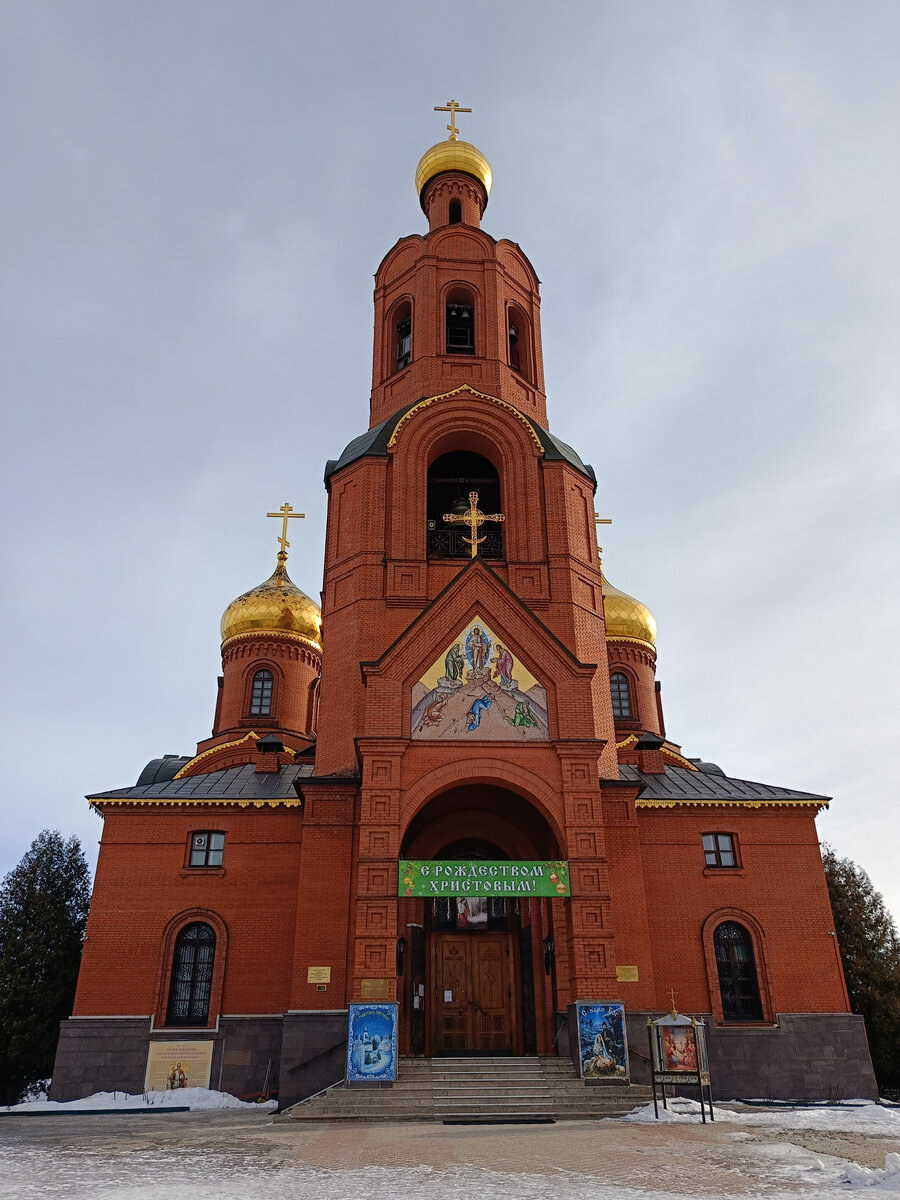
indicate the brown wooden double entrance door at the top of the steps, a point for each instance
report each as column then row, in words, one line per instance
column 473, row 1005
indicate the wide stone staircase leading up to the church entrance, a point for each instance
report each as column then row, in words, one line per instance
column 472, row 1091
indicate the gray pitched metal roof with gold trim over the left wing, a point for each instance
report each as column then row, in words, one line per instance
column 239, row 785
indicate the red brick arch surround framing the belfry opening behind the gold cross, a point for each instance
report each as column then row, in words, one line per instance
column 503, row 437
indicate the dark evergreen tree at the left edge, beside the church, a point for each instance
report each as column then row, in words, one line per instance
column 44, row 910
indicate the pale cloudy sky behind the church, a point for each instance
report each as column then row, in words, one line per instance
column 197, row 196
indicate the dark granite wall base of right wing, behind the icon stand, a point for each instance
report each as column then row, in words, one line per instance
column 807, row 1057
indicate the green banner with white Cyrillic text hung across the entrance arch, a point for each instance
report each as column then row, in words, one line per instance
column 478, row 878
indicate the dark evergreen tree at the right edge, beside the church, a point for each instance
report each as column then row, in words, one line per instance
column 871, row 953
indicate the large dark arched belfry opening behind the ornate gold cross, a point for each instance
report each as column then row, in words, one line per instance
column 451, row 479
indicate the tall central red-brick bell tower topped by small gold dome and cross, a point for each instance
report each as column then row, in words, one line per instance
column 465, row 691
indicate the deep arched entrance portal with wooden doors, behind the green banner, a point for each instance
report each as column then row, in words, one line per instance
column 478, row 979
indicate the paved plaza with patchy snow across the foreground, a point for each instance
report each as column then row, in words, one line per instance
column 245, row 1154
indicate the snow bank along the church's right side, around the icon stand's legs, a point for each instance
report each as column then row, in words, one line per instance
column 851, row 1117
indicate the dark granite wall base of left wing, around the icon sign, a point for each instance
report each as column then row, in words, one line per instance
column 107, row 1054
